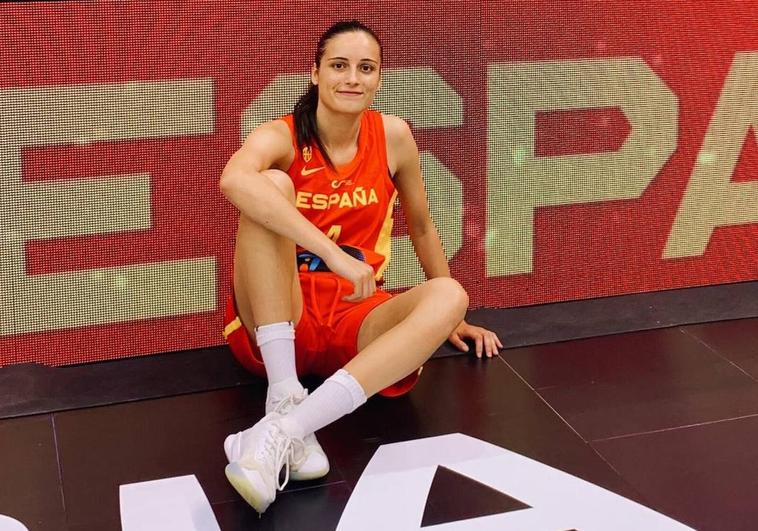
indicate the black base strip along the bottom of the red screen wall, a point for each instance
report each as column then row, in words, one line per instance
column 28, row 389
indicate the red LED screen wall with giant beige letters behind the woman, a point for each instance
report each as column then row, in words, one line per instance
column 571, row 150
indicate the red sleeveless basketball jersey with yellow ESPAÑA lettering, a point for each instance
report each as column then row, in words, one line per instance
column 352, row 204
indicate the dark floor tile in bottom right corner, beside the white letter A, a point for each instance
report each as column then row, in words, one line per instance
column 705, row 474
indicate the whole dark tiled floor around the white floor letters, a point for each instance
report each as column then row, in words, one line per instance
column 668, row 418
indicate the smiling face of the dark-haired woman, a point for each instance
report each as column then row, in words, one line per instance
column 348, row 76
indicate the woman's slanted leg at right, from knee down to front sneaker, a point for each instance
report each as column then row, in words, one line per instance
column 395, row 339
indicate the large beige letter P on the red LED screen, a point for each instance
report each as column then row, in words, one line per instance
column 519, row 182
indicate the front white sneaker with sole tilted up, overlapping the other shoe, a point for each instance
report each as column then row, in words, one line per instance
column 256, row 457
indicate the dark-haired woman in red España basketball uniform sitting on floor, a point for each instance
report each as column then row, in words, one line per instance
column 315, row 191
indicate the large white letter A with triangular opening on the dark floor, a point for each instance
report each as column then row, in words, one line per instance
column 393, row 490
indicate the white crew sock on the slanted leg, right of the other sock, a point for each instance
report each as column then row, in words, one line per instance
column 339, row 395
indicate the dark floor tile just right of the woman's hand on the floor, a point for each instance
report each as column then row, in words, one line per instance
column 618, row 385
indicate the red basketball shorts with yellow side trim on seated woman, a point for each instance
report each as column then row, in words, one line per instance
column 326, row 337
